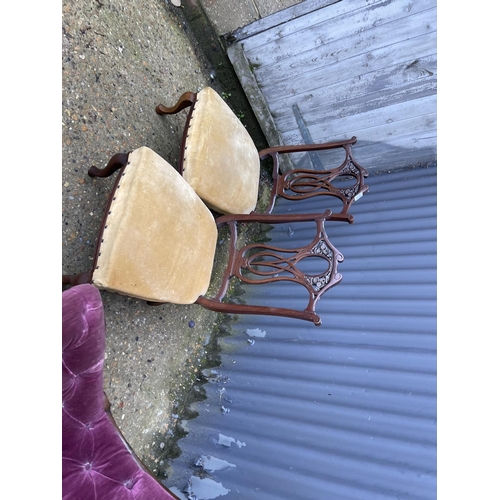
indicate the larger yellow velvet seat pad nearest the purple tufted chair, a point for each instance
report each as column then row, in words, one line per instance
column 159, row 238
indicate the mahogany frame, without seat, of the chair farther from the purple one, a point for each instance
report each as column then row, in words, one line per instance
column 296, row 184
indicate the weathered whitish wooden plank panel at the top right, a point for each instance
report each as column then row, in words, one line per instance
column 360, row 67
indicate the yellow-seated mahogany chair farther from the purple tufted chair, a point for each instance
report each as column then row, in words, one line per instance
column 217, row 152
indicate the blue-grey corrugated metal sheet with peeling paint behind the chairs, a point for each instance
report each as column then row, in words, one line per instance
column 346, row 410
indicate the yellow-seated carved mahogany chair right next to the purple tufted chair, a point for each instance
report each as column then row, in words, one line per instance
column 158, row 239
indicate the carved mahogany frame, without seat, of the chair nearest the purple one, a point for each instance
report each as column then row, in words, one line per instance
column 279, row 264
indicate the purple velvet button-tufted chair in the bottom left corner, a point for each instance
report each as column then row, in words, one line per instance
column 97, row 462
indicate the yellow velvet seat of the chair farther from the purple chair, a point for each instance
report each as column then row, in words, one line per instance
column 221, row 162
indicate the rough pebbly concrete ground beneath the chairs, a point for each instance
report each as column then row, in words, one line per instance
column 120, row 58
